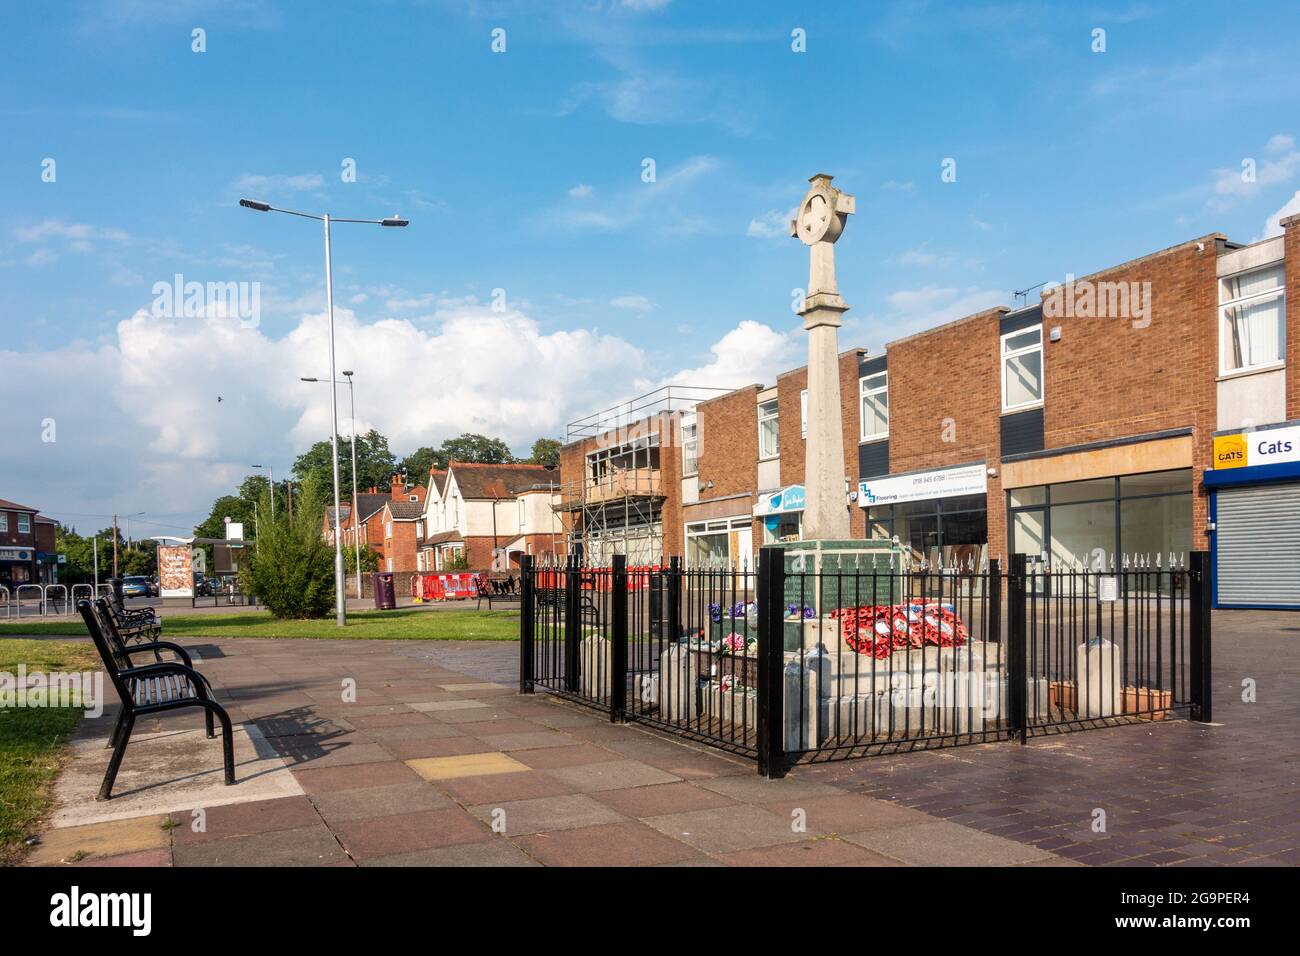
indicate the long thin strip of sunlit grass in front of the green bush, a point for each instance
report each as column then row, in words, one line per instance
column 396, row 626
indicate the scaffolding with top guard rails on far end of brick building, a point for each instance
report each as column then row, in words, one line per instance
column 617, row 505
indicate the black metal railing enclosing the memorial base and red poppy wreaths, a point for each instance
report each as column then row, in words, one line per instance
column 788, row 664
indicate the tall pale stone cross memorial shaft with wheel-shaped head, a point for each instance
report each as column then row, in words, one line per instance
column 821, row 222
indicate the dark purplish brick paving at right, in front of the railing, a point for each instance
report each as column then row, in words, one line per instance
column 1175, row 794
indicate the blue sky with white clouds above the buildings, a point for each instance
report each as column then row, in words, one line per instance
column 523, row 172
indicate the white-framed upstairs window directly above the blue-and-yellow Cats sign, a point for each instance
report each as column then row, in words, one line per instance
column 1253, row 321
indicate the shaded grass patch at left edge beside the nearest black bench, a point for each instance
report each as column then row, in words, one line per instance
column 32, row 741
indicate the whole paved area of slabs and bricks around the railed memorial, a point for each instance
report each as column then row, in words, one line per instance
column 423, row 754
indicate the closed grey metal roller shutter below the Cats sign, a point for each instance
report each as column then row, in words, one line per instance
column 1258, row 540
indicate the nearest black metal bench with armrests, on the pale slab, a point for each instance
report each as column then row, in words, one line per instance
column 151, row 689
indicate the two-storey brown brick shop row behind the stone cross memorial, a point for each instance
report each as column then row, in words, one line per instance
column 1102, row 421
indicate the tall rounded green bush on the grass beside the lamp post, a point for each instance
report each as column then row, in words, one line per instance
column 292, row 569
